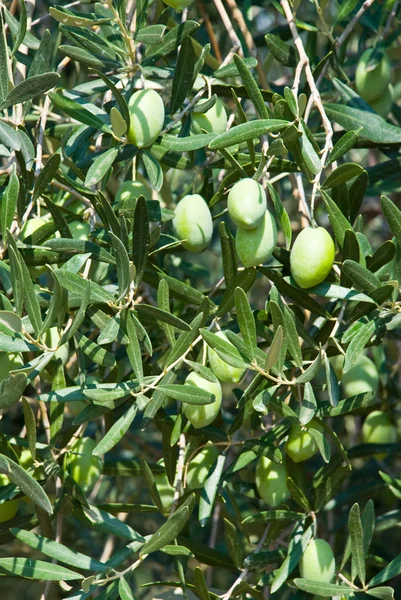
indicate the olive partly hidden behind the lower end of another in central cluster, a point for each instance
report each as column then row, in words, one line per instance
column 255, row 246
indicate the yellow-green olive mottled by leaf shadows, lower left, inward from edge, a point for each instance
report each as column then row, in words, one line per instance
column 83, row 466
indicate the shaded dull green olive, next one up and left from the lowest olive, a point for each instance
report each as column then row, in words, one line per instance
column 271, row 481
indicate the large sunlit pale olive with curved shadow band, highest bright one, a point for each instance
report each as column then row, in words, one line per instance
column 147, row 118
